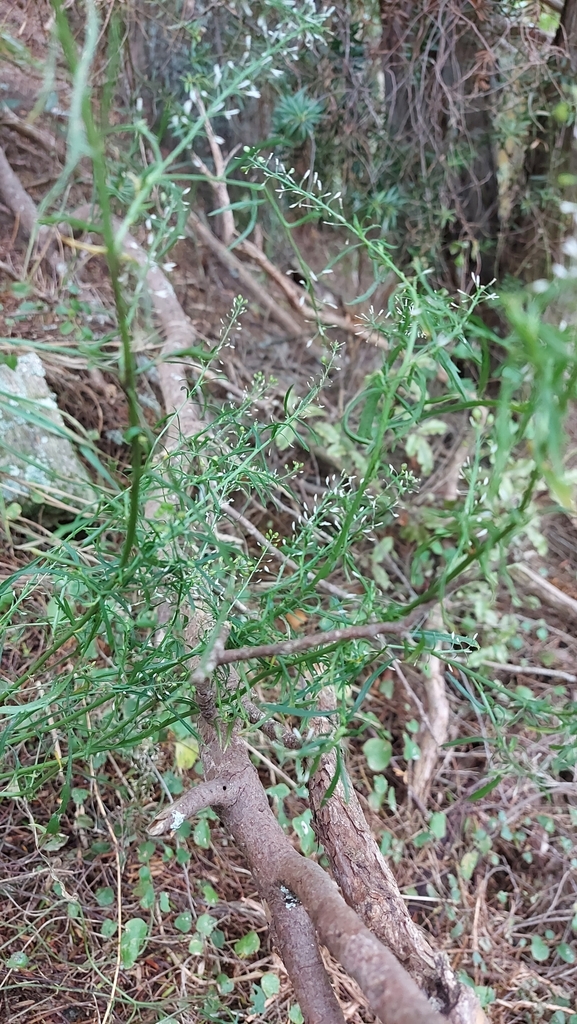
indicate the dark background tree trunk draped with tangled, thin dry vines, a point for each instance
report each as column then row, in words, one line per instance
column 437, row 67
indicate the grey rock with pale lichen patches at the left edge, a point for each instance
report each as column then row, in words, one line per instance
column 38, row 464
